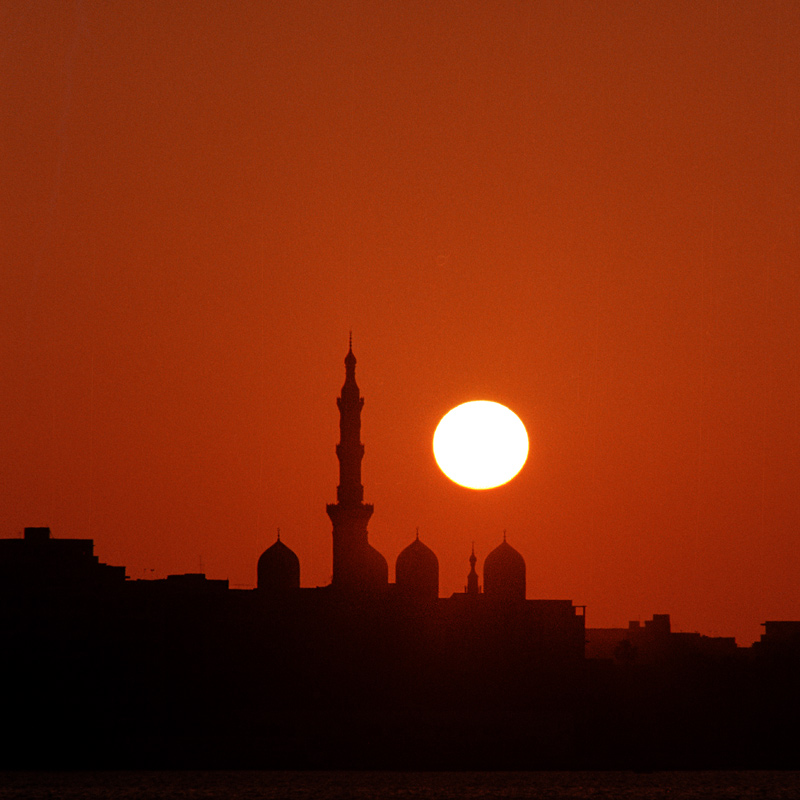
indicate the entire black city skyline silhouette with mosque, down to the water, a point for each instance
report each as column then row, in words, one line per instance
column 103, row 671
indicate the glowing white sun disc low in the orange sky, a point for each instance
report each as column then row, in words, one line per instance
column 480, row 444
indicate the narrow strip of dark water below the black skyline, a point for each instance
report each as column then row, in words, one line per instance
column 400, row 785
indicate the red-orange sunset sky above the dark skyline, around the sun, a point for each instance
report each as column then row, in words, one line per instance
column 586, row 211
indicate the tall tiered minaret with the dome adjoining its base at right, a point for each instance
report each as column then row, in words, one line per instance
column 357, row 566
